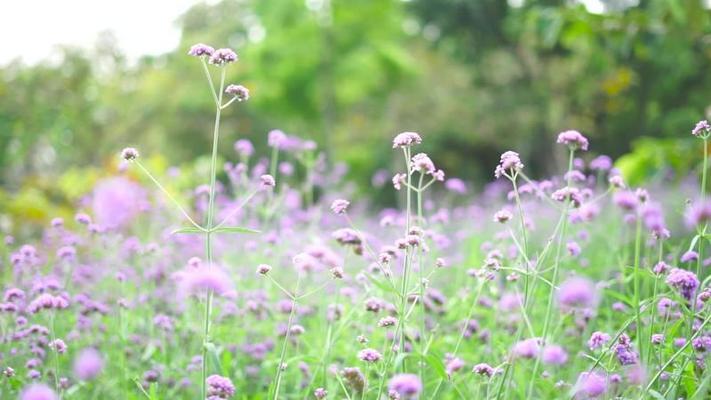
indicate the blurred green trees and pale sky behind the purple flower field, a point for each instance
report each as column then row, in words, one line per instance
column 80, row 80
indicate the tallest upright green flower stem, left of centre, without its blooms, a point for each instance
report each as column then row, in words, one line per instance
column 208, row 232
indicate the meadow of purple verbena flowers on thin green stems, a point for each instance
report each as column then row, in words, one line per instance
column 270, row 282
